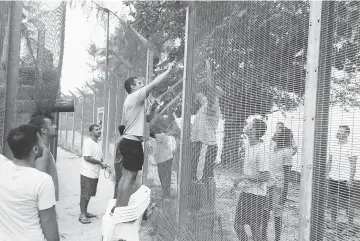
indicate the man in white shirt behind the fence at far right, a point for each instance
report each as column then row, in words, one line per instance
column 341, row 171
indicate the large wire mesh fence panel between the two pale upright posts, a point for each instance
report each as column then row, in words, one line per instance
column 248, row 78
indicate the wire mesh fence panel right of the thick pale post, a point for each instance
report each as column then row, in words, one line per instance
column 342, row 200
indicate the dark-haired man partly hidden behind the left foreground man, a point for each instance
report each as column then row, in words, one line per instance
column 46, row 163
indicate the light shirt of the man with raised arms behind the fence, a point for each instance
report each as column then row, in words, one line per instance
column 206, row 123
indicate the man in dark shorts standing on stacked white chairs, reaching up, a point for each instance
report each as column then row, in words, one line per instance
column 131, row 144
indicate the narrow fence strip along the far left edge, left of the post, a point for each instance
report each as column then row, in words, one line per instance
column 4, row 42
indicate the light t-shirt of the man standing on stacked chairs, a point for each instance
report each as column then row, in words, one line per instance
column 134, row 113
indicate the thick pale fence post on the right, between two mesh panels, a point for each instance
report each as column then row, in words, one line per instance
column 311, row 118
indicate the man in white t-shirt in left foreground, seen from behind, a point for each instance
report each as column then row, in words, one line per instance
column 27, row 199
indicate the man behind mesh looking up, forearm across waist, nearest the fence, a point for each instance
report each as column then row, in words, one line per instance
column 252, row 208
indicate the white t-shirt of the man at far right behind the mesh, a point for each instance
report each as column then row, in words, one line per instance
column 340, row 164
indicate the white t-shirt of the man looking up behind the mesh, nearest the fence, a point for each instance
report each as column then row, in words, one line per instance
column 256, row 160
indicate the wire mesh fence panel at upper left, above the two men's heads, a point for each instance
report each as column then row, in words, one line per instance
column 41, row 53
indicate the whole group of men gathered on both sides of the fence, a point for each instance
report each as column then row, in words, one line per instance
column 29, row 182
